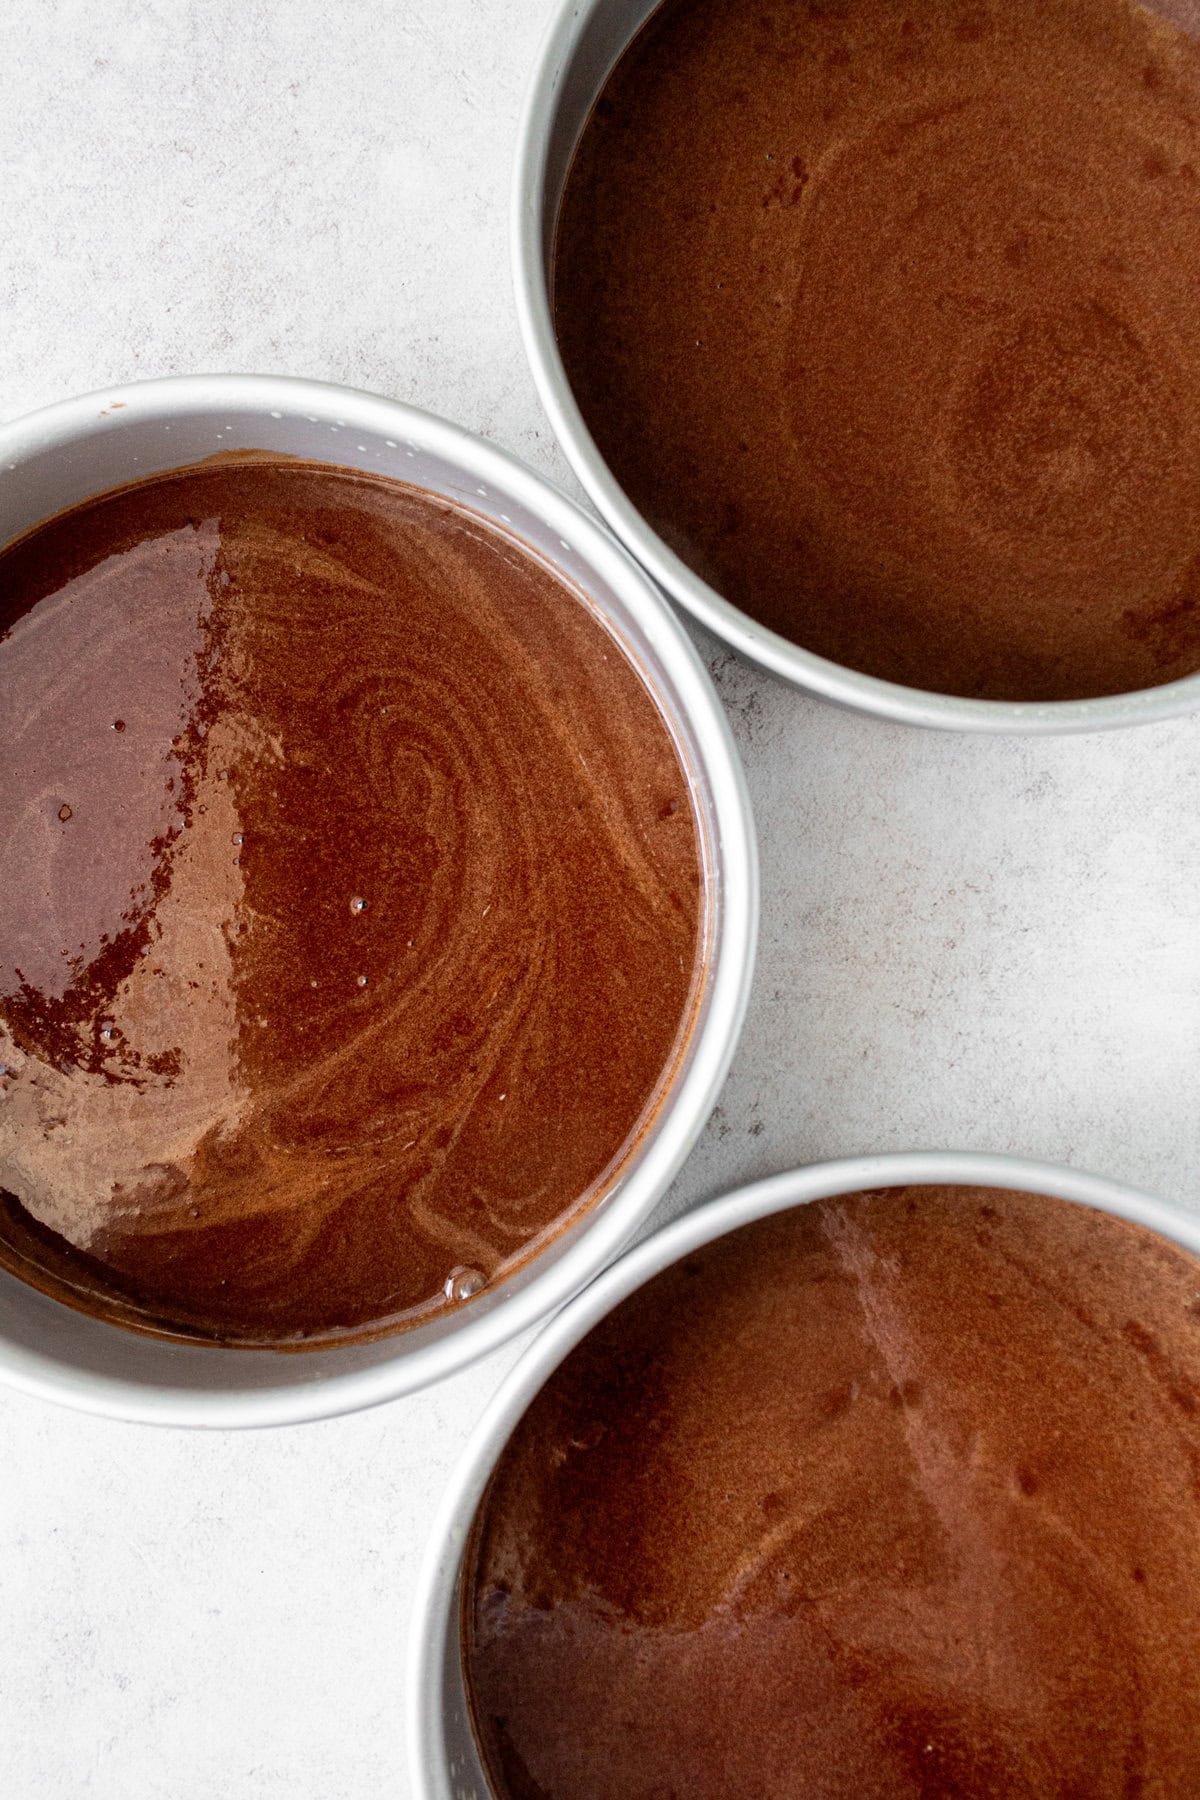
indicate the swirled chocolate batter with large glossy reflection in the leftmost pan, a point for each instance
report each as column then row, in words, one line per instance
column 350, row 904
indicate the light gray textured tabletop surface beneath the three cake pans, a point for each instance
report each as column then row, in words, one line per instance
column 971, row 944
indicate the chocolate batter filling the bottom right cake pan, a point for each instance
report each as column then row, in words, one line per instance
column 890, row 1497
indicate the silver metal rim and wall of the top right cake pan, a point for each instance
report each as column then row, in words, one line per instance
column 584, row 44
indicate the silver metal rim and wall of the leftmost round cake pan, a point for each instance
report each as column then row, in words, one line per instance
column 69, row 453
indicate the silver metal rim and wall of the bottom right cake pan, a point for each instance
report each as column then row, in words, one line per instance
column 443, row 1763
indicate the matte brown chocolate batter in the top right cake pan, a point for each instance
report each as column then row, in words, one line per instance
column 886, row 316
